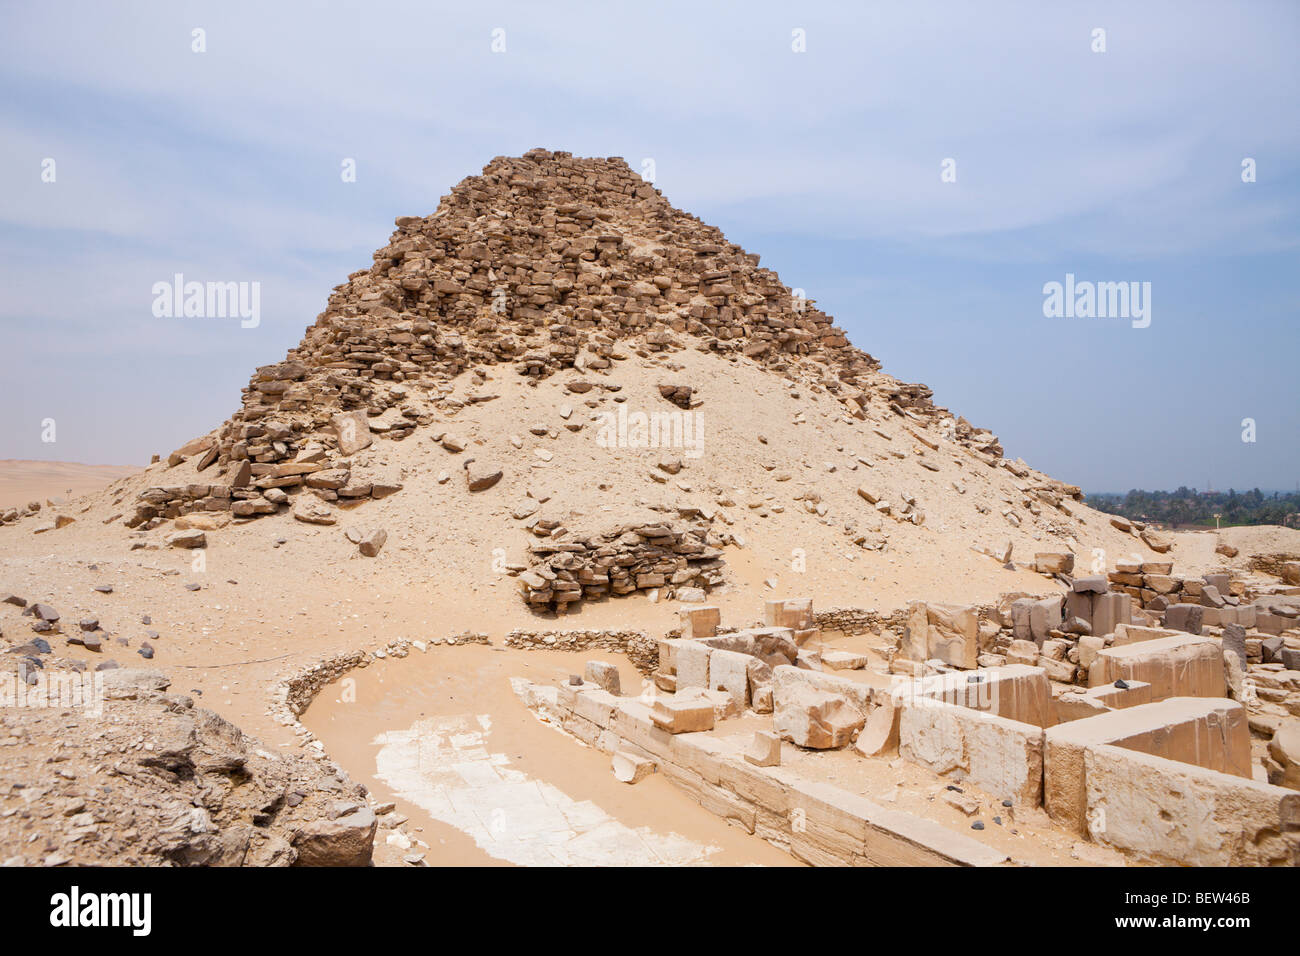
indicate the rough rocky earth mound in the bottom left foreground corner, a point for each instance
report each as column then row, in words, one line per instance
column 159, row 782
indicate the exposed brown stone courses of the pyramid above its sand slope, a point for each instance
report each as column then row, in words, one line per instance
column 543, row 263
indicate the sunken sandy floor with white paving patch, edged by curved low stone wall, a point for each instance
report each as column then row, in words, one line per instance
column 473, row 682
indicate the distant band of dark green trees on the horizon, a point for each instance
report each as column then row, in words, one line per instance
column 1191, row 508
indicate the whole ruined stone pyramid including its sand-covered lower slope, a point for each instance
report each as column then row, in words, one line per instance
column 561, row 275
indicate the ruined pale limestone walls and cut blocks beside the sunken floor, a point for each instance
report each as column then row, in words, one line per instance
column 1152, row 732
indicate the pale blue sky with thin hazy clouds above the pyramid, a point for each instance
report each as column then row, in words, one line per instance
column 922, row 171
